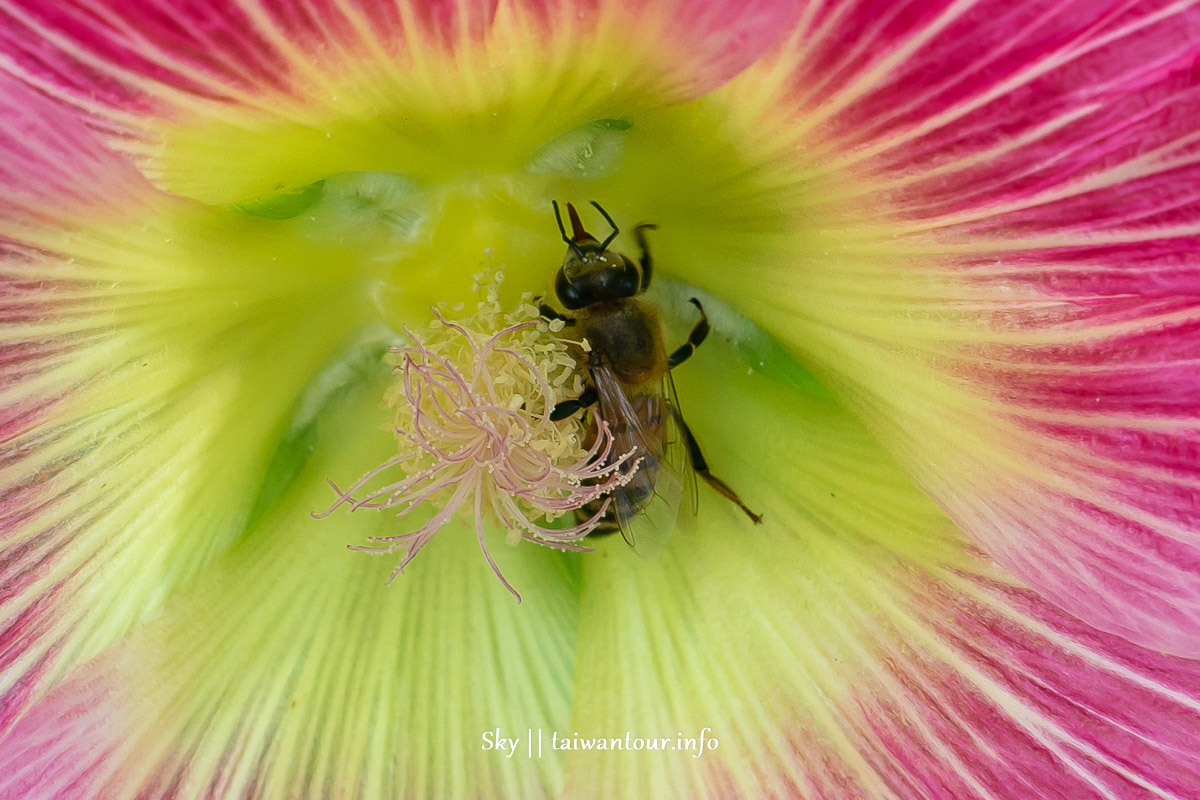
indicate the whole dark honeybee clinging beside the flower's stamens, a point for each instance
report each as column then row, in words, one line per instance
column 629, row 377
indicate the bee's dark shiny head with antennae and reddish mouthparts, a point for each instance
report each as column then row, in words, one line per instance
column 590, row 273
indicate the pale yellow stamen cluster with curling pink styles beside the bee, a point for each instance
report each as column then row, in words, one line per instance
column 473, row 400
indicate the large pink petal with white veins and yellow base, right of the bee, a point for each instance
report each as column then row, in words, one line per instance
column 1022, row 318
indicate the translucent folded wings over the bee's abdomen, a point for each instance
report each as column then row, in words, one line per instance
column 647, row 508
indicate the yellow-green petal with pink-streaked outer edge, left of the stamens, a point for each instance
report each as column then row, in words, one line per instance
column 177, row 341
